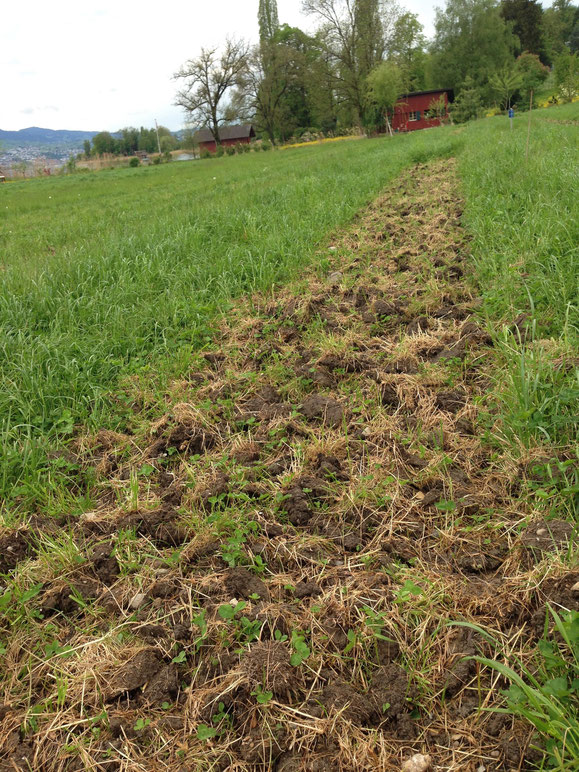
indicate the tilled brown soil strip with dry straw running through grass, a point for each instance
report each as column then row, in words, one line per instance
column 270, row 578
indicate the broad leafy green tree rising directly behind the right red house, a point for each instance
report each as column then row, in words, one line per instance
column 471, row 40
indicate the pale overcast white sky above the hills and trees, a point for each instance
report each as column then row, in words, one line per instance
column 105, row 64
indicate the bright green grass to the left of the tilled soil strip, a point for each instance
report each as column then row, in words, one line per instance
column 108, row 273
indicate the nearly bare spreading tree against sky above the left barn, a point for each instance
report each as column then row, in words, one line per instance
column 208, row 81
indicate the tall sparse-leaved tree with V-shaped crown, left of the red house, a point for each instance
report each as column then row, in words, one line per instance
column 354, row 35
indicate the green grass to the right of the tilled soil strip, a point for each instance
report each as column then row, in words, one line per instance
column 524, row 219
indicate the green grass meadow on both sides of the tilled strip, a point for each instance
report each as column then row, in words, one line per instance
column 108, row 274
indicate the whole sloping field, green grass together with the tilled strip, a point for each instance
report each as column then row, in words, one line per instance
column 267, row 502
